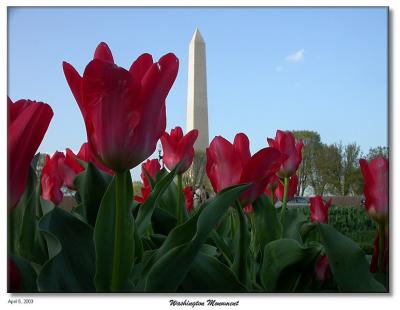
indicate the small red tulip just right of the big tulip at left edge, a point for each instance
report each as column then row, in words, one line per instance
column 52, row 180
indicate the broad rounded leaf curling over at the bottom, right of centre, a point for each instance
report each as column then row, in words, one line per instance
column 285, row 260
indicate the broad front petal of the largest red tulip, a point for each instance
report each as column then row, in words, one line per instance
column 110, row 94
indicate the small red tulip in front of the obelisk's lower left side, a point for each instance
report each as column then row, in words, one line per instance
column 178, row 148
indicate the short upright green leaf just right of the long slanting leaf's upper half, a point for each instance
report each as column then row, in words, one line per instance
column 267, row 227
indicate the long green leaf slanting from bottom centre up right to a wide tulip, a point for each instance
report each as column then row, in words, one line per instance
column 176, row 262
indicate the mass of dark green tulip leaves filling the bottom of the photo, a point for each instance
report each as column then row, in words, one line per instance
column 111, row 243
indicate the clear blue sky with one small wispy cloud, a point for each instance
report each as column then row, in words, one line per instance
column 267, row 68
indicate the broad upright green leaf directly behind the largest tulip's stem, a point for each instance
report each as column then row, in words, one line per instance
column 114, row 236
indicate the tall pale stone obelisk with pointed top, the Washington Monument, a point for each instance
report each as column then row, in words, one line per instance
column 197, row 110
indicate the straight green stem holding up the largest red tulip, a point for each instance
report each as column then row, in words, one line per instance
column 119, row 218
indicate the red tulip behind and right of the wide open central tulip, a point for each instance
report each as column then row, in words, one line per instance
column 285, row 143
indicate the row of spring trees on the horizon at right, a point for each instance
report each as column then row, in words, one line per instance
column 331, row 169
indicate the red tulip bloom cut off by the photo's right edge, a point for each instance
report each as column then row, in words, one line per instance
column 376, row 187
